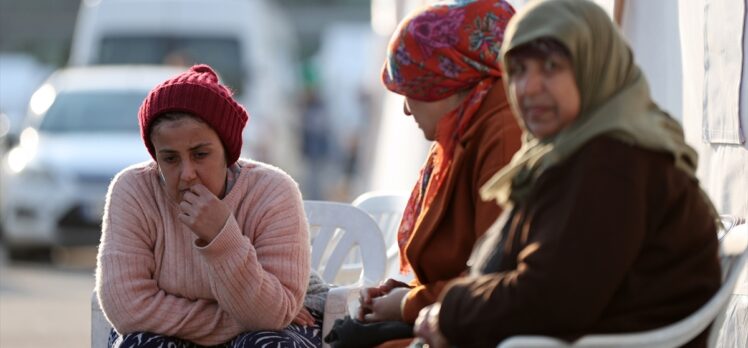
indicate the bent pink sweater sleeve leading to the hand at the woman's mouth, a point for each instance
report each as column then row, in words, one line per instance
column 261, row 282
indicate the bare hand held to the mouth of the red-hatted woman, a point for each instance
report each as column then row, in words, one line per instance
column 203, row 212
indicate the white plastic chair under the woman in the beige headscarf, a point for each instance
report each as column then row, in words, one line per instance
column 733, row 257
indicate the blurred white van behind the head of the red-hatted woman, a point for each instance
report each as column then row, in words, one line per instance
column 249, row 43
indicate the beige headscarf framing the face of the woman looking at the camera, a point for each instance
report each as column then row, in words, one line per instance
column 614, row 94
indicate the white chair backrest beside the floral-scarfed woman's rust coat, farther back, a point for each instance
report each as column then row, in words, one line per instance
column 387, row 210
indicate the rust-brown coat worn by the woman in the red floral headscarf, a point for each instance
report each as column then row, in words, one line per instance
column 439, row 248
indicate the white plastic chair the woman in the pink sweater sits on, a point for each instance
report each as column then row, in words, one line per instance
column 335, row 229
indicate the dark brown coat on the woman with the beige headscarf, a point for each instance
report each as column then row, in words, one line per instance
column 614, row 239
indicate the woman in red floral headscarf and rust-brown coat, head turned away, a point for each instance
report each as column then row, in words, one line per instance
column 445, row 60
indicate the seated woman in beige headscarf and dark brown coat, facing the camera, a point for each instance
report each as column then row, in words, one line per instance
column 606, row 229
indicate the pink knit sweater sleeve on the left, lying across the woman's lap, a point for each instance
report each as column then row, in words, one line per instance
column 129, row 295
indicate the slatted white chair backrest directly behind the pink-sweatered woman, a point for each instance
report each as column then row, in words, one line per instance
column 336, row 229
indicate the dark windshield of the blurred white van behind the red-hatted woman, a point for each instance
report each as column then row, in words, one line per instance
column 220, row 53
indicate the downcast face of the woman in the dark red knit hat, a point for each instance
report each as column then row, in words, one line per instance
column 189, row 152
